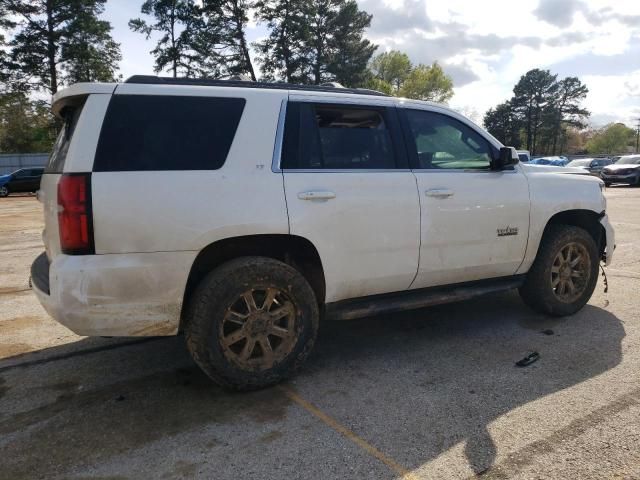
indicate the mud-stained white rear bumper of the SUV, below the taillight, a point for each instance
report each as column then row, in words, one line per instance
column 114, row 295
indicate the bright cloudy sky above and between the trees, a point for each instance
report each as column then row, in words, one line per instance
column 484, row 45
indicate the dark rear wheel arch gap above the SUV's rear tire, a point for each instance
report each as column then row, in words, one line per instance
column 293, row 250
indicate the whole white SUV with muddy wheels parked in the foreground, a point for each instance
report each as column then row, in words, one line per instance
column 242, row 213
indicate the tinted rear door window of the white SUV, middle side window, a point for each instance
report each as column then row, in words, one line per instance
column 337, row 137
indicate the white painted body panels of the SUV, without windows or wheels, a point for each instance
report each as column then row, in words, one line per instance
column 375, row 232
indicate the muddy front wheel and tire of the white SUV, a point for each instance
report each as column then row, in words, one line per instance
column 565, row 272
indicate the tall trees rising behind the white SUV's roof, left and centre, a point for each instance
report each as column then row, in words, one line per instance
column 54, row 43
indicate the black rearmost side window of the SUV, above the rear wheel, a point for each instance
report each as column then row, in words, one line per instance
column 145, row 132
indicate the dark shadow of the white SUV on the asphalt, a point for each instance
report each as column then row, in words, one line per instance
column 413, row 384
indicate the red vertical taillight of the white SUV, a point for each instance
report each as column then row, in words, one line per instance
column 75, row 220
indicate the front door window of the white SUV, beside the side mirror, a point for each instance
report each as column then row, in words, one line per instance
column 442, row 142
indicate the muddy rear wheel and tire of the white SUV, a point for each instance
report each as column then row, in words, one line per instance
column 251, row 323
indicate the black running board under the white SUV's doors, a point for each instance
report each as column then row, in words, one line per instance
column 413, row 299
